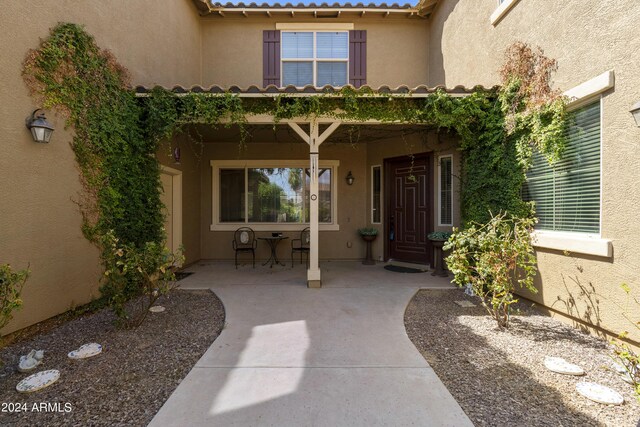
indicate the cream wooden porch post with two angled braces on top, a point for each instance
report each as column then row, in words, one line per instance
column 314, row 139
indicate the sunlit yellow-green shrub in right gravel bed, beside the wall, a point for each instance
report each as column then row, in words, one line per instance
column 492, row 258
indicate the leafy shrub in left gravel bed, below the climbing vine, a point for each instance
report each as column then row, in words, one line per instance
column 131, row 272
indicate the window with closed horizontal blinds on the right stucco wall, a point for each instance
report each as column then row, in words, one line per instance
column 567, row 194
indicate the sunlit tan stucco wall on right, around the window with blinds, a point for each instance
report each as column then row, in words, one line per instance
column 587, row 38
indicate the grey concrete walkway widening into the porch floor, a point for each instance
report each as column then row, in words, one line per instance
column 292, row 356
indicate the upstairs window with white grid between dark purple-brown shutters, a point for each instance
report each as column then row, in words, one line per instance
column 315, row 58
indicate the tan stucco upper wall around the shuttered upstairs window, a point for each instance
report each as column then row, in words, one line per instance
column 396, row 49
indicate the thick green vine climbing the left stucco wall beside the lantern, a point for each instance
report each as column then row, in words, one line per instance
column 118, row 170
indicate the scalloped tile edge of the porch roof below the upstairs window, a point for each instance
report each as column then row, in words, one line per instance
column 271, row 90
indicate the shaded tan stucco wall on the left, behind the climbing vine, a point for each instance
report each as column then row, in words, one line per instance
column 39, row 223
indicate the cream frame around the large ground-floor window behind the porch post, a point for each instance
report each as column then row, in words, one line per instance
column 216, row 165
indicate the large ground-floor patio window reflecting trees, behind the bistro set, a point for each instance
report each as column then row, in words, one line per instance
column 269, row 194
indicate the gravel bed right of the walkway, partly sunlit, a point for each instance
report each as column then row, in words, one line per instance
column 498, row 377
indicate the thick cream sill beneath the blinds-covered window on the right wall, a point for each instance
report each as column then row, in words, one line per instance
column 573, row 242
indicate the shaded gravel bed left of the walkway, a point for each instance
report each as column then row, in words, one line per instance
column 125, row 385
